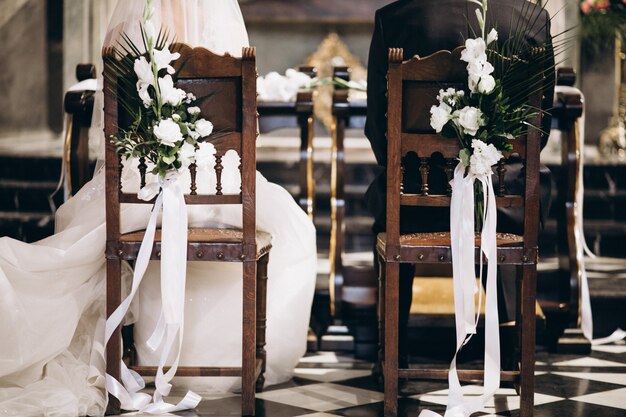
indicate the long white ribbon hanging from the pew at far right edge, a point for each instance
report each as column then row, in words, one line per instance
column 586, row 314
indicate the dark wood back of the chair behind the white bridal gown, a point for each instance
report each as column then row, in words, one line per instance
column 229, row 85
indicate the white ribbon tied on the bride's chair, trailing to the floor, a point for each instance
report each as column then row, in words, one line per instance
column 170, row 198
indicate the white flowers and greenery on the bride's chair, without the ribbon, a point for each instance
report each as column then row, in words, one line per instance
column 165, row 124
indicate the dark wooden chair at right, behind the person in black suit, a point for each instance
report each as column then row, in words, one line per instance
column 412, row 89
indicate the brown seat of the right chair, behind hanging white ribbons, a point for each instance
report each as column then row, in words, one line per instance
column 435, row 247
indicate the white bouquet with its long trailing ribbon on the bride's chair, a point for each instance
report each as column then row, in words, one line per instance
column 161, row 126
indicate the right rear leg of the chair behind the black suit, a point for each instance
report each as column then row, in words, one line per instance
column 529, row 318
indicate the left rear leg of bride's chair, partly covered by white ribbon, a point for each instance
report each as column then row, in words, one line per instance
column 114, row 346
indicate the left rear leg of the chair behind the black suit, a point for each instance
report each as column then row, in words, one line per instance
column 390, row 367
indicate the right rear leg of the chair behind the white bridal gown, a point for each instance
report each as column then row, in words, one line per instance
column 248, row 360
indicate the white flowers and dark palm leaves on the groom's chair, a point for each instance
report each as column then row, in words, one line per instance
column 493, row 113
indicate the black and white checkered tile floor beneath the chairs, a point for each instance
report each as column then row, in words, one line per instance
column 327, row 384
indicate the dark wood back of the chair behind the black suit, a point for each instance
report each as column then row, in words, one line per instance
column 412, row 89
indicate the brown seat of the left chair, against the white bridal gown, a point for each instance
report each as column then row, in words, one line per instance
column 204, row 244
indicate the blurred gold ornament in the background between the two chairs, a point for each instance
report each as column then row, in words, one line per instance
column 332, row 52
